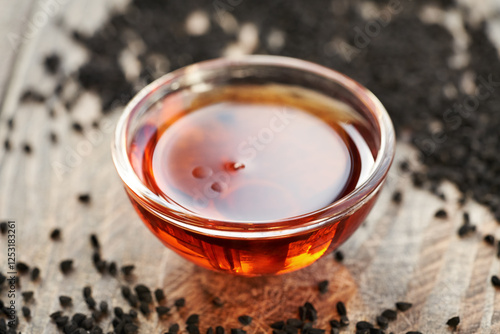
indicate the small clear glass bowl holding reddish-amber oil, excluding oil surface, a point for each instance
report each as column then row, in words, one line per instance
column 255, row 247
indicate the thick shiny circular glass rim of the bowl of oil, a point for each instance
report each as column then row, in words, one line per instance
column 186, row 219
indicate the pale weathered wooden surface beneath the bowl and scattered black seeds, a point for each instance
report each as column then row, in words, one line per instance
column 402, row 253
